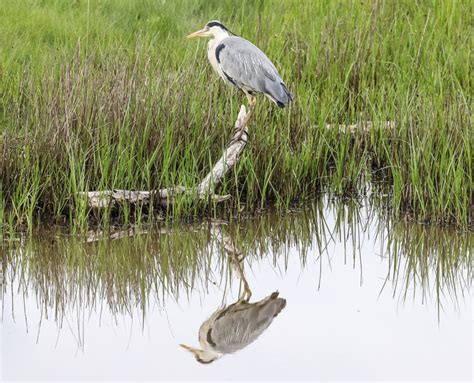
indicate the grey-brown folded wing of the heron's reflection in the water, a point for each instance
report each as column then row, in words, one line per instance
column 244, row 323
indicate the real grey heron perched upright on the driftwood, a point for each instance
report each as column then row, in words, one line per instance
column 240, row 63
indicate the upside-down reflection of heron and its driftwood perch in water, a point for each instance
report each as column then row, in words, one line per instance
column 233, row 327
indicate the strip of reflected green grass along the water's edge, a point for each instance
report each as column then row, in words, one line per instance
column 126, row 270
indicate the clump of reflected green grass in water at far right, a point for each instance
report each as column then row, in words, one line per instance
column 426, row 262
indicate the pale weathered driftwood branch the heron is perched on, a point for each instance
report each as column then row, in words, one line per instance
column 205, row 190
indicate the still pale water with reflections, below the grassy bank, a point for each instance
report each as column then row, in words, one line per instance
column 330, row 292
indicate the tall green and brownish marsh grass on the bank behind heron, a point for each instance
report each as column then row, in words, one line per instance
column 109, row 94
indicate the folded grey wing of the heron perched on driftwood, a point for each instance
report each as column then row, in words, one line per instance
column 249, row 68
